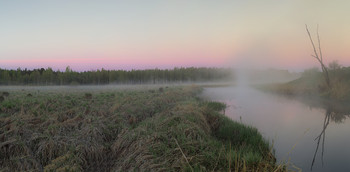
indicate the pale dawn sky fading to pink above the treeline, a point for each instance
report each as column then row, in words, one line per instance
column 130, row 34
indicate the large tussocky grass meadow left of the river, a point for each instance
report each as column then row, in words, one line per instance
column 165, row 129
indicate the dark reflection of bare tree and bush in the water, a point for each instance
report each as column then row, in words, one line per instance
column 335, row 112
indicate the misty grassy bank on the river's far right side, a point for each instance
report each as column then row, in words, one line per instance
column 312, row 84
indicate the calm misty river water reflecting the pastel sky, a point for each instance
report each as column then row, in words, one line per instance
column 300, row 131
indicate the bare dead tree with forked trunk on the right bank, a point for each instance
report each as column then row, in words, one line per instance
column 319, row 57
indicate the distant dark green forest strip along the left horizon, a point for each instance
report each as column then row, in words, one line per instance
column 101, row 77
